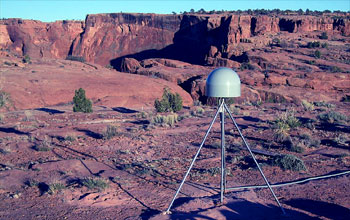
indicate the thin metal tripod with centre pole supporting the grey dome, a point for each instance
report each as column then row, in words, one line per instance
column 221, row 110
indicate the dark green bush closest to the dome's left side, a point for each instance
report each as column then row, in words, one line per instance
column 169, row 103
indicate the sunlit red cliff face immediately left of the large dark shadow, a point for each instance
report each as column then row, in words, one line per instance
column 108, row 36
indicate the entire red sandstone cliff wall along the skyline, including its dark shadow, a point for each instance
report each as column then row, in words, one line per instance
column 201, row 39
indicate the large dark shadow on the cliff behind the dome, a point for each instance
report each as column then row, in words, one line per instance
column 191, row 44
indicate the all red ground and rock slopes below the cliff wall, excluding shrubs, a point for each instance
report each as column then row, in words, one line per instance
column 144, row 164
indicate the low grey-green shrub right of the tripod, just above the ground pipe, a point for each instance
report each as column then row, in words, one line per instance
column 288, row 162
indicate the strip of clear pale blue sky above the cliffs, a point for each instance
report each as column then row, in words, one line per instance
column 51, row 10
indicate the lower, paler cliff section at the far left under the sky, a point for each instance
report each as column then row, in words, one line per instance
column 39, row 39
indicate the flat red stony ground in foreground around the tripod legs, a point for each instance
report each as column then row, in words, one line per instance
column 143, row 167
